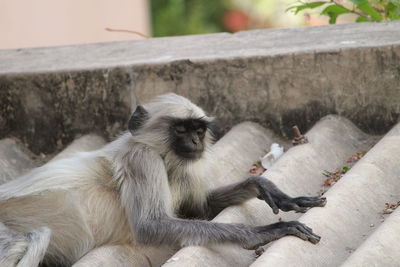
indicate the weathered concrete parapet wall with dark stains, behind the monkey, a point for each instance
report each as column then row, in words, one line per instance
column 275, row 77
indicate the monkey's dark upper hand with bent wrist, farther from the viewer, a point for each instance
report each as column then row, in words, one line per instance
column 276, row 199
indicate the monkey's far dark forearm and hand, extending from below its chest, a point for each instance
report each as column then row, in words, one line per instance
column 261, row 187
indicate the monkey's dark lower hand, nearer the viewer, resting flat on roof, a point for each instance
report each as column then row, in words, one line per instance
column 268, row 233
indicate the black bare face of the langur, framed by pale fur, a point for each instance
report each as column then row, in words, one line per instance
column 188, row 137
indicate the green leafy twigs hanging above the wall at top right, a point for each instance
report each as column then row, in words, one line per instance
column 364, row 10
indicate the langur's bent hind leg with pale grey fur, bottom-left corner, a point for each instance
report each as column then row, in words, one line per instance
column 23, row 250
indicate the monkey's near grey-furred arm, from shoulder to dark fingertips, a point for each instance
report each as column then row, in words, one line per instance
column 145, row 197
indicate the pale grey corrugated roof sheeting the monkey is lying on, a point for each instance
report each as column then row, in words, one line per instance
column 354, row 230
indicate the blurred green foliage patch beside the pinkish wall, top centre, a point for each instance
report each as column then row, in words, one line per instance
column 182, row 17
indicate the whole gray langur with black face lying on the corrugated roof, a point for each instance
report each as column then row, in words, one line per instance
column 141, row 188
